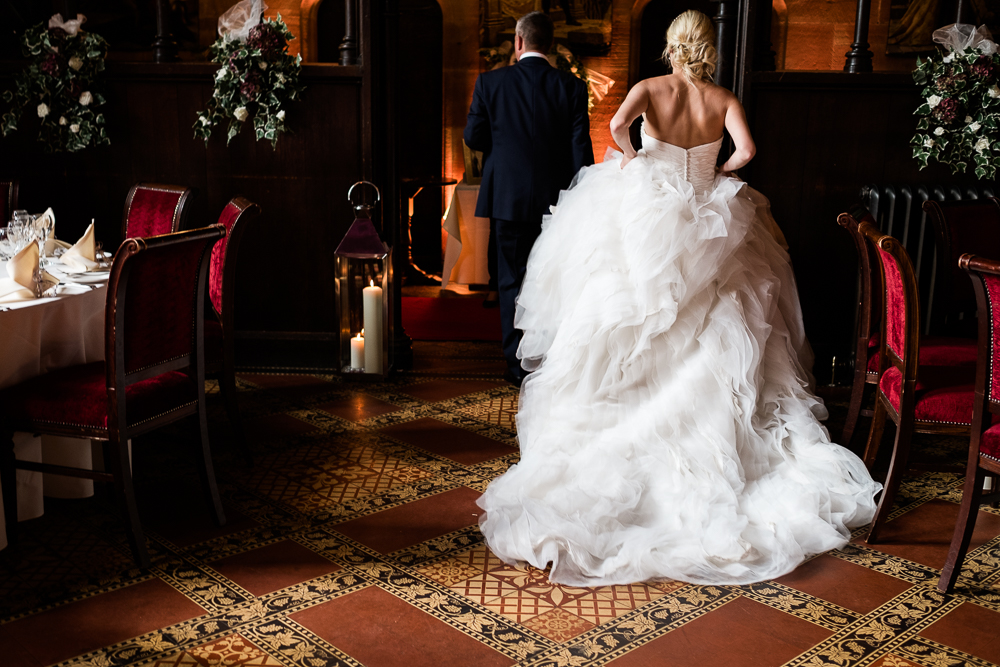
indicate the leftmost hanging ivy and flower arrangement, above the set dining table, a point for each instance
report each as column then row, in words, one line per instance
column 64, row 64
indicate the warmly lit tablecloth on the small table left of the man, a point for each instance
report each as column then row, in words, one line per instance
column 465, row 256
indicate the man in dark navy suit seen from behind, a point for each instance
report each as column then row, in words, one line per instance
column 530, row 121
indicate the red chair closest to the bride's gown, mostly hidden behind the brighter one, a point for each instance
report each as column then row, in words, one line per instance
column 934, row 350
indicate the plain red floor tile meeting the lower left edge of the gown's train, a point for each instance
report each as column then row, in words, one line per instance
column 415, row 522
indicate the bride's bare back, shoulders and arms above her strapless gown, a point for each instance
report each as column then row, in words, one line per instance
column 685, row 114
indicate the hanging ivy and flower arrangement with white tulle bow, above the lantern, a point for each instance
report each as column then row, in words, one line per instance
column 258, row 77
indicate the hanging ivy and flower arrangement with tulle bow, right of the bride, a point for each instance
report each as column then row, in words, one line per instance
column 960, row 118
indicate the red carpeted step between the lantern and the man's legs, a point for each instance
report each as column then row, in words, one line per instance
column 431, row 318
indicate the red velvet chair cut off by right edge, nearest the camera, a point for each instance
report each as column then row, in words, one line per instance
column 984, row 443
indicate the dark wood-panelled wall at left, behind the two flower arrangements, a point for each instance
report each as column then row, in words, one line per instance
column 286, row 260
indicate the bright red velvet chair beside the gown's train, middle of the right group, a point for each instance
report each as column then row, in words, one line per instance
column 919, row 398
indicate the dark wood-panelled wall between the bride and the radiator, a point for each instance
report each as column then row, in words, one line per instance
column 820, row 137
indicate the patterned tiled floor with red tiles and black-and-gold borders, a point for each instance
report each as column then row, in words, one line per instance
column 354, row 541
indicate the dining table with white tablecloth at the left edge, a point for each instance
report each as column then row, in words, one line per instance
column 39, row 335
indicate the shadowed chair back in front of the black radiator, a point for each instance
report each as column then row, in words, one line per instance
column 960, row 227
